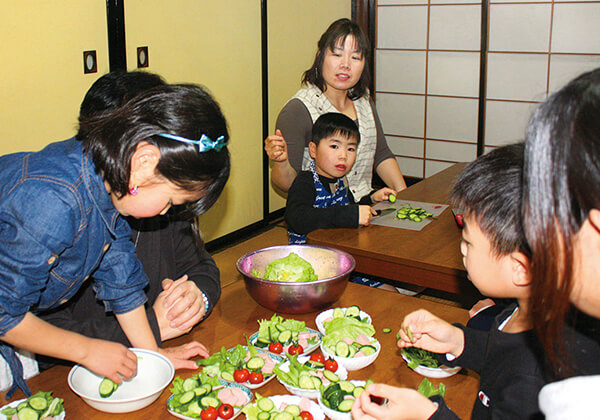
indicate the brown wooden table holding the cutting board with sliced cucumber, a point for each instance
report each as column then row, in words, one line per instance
column 429, row 257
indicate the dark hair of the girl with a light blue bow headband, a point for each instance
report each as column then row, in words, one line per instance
column 184, row 110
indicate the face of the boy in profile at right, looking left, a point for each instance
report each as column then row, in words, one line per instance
column 503, row 276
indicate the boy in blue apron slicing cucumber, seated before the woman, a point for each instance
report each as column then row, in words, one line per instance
column 318, row 198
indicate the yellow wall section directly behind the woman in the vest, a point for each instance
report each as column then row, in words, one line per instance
column 294, row 29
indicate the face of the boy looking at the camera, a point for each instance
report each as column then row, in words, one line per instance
column 334, row 156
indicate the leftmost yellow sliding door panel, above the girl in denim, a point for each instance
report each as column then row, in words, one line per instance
column 41, row 68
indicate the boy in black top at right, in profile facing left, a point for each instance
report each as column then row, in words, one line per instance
column 508, row 357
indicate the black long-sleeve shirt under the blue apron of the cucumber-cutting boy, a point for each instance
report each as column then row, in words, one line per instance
column 302, row 217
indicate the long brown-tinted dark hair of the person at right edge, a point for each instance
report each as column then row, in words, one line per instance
column 561, row 185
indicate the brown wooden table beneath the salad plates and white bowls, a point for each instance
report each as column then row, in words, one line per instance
column 237, row 314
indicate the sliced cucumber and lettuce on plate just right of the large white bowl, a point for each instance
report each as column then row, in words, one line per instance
column 194, row 394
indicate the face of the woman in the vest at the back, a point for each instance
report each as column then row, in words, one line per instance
column 343, row 66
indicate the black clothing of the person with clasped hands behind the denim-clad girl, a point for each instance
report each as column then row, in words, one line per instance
column 167, row 248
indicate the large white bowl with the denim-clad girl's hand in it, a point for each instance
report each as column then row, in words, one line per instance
column 154, row 373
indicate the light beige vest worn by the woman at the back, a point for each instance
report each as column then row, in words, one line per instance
column 361, row 175
